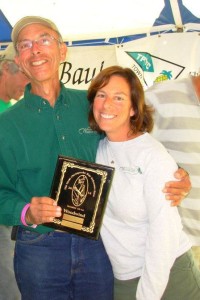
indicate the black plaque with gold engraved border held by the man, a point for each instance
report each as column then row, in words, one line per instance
column 81, row 189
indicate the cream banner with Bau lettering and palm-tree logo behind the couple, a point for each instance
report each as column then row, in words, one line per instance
column 154, row 58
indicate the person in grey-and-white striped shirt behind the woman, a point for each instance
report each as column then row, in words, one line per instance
column 177, row 126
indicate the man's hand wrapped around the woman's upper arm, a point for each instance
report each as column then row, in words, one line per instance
column 176, row 191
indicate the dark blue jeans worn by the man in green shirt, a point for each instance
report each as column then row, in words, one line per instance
column 62, row 266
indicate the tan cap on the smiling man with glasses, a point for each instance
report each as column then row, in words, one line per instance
column 28, row 21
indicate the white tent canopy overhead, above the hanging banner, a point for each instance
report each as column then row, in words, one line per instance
column 94, row 19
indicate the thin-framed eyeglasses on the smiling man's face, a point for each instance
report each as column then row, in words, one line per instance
column 45, row 40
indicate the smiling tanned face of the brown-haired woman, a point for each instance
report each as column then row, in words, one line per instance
column 112, row 108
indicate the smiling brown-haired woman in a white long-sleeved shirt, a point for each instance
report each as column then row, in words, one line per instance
column 142, row 233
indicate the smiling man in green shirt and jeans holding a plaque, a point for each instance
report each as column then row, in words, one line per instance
column 50, row 121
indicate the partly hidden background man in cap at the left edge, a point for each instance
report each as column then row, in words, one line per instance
column 12, row 83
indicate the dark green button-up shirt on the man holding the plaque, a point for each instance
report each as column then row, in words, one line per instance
column 32, row 136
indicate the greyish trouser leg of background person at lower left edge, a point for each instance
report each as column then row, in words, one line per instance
column 8, row 285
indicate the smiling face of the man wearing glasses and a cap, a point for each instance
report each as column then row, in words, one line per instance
column 40, row 62
